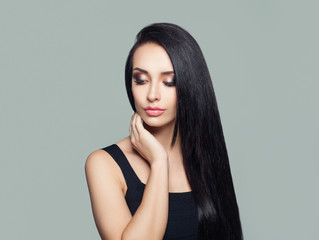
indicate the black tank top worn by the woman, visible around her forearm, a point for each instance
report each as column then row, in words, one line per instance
column 182, row 214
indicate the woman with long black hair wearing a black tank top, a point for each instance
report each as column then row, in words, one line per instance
column 170, row 179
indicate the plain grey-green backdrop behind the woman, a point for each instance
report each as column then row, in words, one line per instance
column 62, row 96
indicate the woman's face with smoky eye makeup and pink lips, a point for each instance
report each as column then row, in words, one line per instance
column 153, row 85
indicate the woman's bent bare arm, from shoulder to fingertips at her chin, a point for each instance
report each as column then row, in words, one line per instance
column 112, row 216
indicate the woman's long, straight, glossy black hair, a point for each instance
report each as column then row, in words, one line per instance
column 198, row 122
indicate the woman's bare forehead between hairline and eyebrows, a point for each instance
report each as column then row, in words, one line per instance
column 152, row 57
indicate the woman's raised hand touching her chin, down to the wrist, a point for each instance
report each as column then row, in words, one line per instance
column 145, row 143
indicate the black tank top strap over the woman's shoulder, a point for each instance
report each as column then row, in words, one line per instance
column 131, row 179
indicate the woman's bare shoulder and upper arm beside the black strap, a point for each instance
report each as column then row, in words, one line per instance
column 105, row 184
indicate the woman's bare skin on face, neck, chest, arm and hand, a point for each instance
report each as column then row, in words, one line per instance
column 147, row 150
